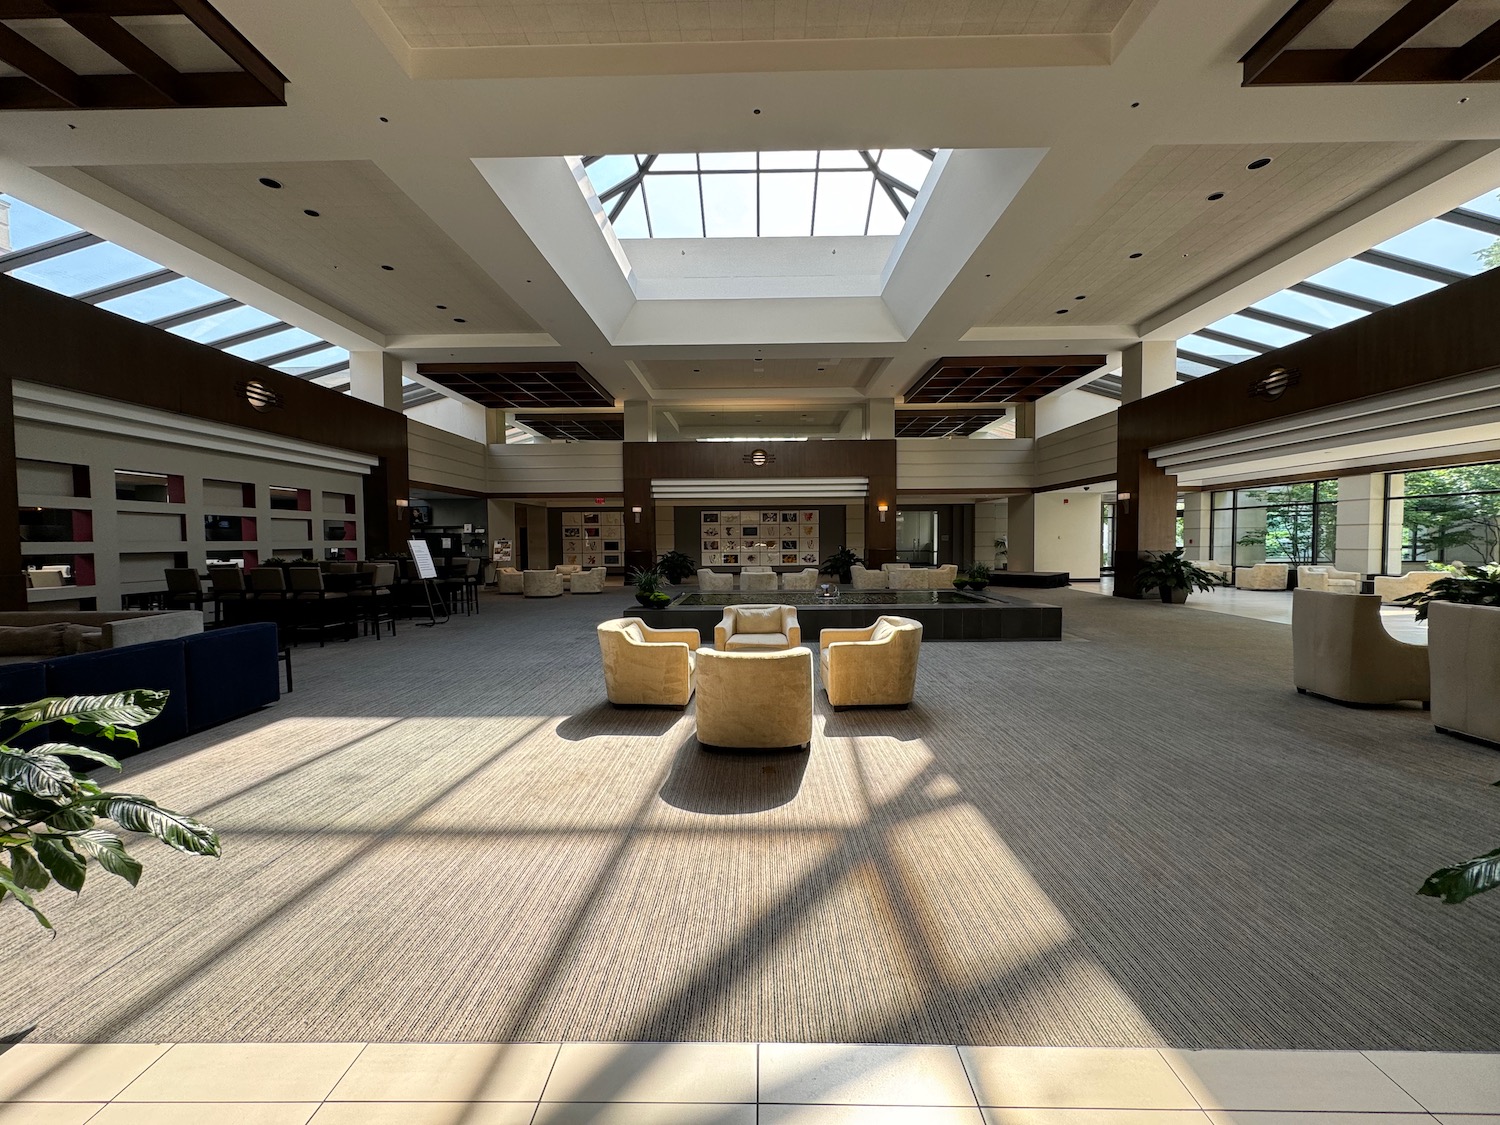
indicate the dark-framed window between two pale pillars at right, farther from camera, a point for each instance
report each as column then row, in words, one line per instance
column 1291, row 524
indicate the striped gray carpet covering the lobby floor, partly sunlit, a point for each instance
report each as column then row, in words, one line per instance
column 1138, row 836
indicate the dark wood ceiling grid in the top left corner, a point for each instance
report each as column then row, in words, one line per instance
column 47, row 83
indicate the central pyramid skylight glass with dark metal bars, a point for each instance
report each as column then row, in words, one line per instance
column 760, row 196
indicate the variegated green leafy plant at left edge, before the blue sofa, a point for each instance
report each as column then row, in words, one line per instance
column 50, row 814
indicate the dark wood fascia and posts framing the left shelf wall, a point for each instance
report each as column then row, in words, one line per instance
column 62, row 343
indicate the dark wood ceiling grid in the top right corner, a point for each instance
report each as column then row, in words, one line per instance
column 1382, row 56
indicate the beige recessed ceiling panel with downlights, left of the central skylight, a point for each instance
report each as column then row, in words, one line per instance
column 364, row 224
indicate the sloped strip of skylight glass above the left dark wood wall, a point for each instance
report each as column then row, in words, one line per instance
column 64, row 259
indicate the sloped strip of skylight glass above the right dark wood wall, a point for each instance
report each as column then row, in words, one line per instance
column 1438, row 253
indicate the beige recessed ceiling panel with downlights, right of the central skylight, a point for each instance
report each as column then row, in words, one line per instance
column 1159, row 236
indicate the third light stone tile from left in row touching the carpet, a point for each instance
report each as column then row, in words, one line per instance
column 448, row 1072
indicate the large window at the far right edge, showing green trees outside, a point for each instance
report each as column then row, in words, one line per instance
column 1447, row 515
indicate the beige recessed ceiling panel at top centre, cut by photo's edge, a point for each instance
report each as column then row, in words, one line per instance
column 503, row 23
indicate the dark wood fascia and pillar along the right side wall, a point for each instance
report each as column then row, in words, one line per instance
column 1439, row 337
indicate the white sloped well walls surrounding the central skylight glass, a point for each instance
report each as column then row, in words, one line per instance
column 784, row 292
